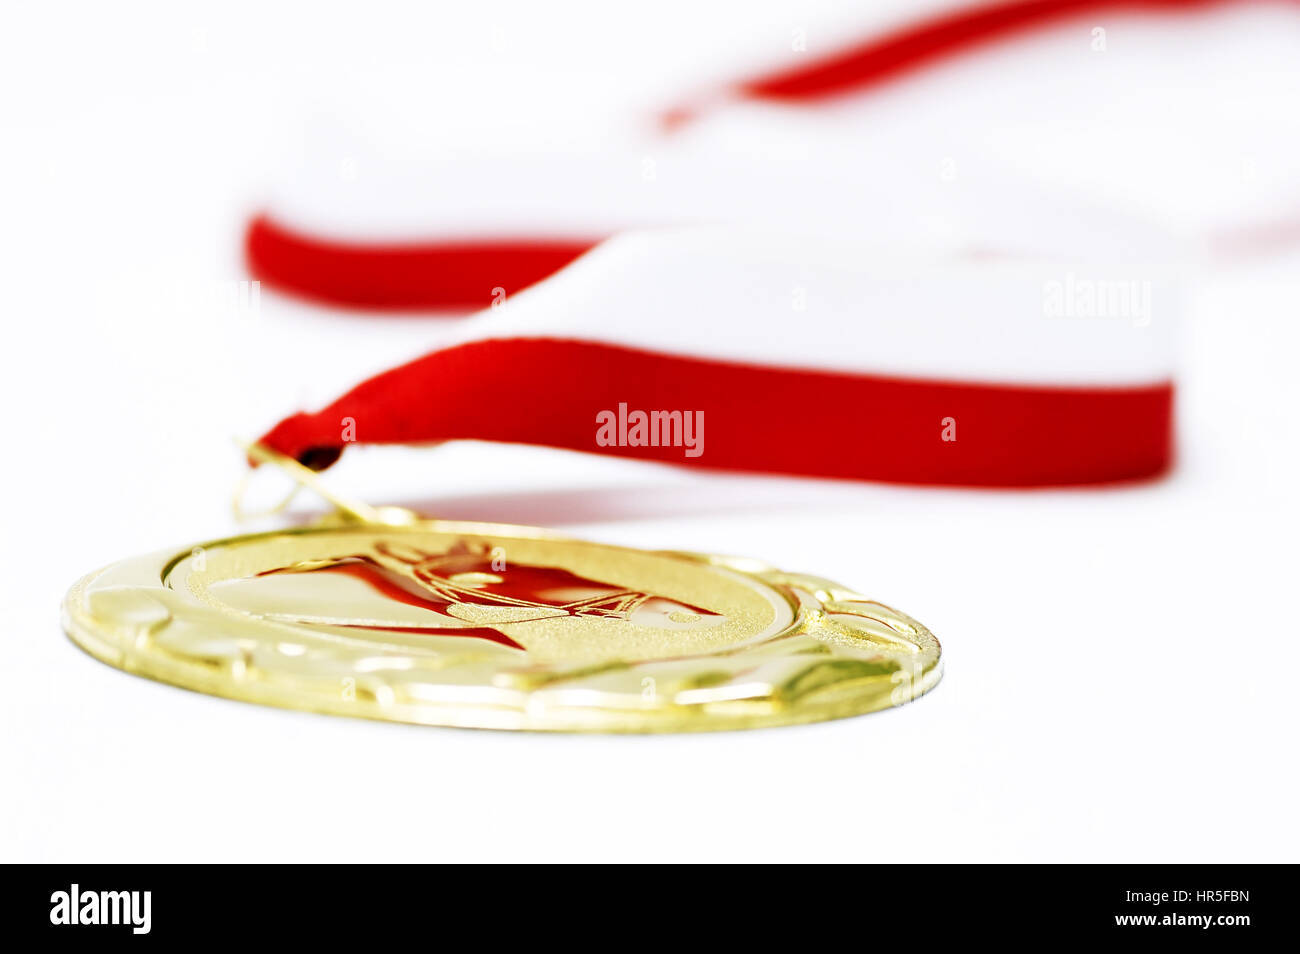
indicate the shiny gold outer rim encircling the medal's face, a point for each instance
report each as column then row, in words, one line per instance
column 814, row 604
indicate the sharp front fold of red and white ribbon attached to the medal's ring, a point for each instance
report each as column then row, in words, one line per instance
column 830, row 362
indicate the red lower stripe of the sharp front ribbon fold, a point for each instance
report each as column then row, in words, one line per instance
column 812, row 424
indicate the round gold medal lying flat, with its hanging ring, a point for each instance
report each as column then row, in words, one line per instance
column 382, row 615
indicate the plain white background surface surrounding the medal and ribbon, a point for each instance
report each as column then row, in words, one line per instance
column 1120, row 664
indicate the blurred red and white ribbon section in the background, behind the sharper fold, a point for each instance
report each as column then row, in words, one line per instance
column 1020, row 127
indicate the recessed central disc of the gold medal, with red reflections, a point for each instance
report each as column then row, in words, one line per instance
column 556, row 601
